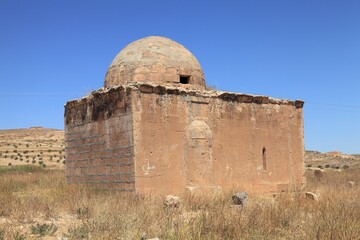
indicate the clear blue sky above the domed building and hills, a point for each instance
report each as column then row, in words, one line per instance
column 53, row 51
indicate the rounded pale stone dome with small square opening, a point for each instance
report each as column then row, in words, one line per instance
column 156, row 60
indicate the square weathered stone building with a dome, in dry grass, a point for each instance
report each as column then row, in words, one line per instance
column 155, row 128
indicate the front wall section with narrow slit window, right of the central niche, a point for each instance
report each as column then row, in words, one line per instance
column 257, row 146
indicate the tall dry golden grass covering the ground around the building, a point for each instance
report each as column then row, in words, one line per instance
column 37, row 196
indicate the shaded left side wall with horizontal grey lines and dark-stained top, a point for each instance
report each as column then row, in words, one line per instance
column 99, row 140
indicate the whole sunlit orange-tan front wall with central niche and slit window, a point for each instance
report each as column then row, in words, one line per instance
column 205, row 140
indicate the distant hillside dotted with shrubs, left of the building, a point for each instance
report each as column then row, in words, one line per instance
column 35, row 145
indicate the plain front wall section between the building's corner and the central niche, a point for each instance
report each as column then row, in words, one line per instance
column 159, row 137
